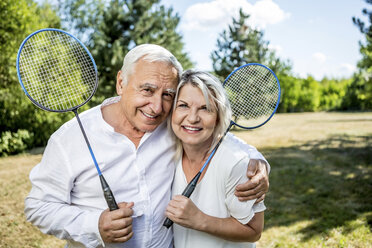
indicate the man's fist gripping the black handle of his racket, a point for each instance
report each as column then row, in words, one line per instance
column 116, row 226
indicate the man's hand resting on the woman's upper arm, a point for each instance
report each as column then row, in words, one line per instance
column 258, row 185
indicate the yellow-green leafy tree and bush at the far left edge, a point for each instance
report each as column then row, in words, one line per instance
column 21, row 123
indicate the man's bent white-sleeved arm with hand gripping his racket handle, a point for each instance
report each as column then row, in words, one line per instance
column 48, row 206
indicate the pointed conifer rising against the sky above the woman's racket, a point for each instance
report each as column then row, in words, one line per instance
column 241, row 44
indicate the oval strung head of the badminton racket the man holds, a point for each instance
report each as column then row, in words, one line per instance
column 56, row 71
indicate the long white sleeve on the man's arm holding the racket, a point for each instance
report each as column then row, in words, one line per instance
column 48, row 205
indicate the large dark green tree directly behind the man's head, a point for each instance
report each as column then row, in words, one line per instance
column 113, row 27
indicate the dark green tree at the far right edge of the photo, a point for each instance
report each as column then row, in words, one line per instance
column 359, row 95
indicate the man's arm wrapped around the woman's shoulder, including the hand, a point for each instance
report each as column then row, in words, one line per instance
column 257, row 172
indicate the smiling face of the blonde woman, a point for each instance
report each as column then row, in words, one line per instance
column 192, row 123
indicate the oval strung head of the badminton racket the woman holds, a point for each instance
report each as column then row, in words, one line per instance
column 254, row 94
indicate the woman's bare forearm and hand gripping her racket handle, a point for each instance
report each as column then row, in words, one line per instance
column 183, row 211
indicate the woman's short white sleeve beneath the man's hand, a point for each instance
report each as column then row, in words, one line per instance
column 241, row 211
